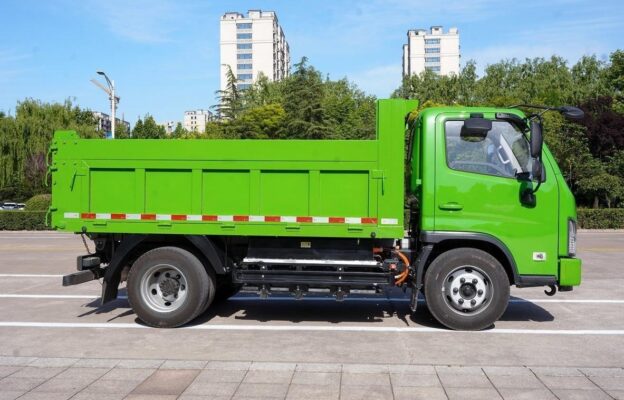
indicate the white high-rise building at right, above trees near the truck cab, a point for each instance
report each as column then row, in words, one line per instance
column 431, row 50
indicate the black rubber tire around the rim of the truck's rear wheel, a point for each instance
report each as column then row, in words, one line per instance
column 199, row 287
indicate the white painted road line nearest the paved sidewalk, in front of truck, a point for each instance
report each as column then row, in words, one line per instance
column 312, row 328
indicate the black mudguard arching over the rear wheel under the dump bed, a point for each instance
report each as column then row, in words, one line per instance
column 132, row 246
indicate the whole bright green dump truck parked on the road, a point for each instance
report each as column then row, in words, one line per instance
column 188, row 222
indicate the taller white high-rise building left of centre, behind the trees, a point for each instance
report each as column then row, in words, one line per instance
column 251, row 45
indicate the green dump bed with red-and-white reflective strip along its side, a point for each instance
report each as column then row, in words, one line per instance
column 338, row 188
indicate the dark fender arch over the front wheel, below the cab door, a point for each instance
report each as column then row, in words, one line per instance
column 440, row 242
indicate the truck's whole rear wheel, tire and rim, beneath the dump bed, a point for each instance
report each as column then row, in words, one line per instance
column 169, row 286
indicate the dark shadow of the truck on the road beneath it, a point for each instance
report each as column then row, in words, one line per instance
column 368, row 309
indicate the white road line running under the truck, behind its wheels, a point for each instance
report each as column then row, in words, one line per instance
column 291, row 299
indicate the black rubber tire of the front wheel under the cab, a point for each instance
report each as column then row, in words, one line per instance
column 463, row 262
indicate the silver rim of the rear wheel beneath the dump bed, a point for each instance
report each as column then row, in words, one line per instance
column 163, row 288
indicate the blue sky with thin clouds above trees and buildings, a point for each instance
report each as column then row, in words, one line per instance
column 164, row 54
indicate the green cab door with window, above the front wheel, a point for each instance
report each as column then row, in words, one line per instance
column 477, row 189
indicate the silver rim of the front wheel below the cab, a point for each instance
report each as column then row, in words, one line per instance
column 467, row 290
